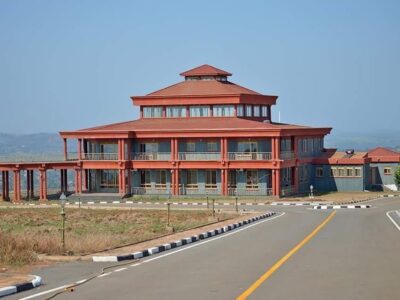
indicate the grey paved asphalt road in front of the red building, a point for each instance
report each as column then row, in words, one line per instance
column 354, row 255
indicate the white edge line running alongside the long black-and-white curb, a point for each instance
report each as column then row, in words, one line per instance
column 167, row 254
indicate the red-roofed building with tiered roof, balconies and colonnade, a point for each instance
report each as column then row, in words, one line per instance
column 204, row 135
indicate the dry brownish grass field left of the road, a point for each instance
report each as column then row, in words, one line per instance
column 26, row 232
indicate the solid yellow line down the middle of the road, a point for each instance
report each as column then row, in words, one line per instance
column 280, row 262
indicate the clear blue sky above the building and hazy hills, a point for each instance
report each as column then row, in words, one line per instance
column 67, row 65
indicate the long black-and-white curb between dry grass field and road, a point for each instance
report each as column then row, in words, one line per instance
column 181, row 242
